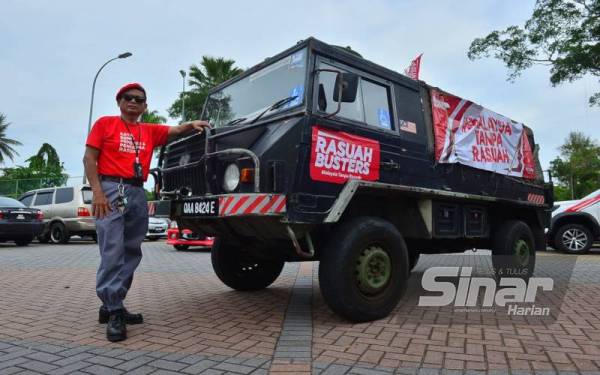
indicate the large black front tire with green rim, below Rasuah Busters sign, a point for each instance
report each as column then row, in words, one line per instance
column 364, row 269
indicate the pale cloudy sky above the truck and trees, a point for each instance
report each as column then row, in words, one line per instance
column 52, row 49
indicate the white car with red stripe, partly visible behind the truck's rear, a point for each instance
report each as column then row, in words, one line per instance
column 575, row 224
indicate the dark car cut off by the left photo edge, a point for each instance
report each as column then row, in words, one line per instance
column 19, row 223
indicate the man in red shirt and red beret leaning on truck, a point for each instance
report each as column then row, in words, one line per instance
column 117, row 160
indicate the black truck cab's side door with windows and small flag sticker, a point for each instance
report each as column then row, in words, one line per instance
column 387, row 112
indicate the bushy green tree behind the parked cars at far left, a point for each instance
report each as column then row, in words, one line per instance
column 44, row 169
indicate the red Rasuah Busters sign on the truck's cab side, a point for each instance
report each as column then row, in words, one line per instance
column 337, row 157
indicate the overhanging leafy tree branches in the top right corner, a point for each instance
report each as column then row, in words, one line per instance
column 562, row 34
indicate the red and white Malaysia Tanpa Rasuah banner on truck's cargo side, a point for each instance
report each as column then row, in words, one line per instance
column 470, row 134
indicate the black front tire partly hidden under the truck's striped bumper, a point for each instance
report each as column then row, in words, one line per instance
column 240, row 270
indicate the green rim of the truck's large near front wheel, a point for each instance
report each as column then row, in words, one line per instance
column 373, row 270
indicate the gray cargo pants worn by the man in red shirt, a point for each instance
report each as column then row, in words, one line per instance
column 120, row 238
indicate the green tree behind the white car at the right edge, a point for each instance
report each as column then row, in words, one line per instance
column 578, row 167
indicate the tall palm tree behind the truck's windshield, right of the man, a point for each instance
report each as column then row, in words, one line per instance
column 211, row 72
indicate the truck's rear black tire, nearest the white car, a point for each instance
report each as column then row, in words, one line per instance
column 513, row 250
